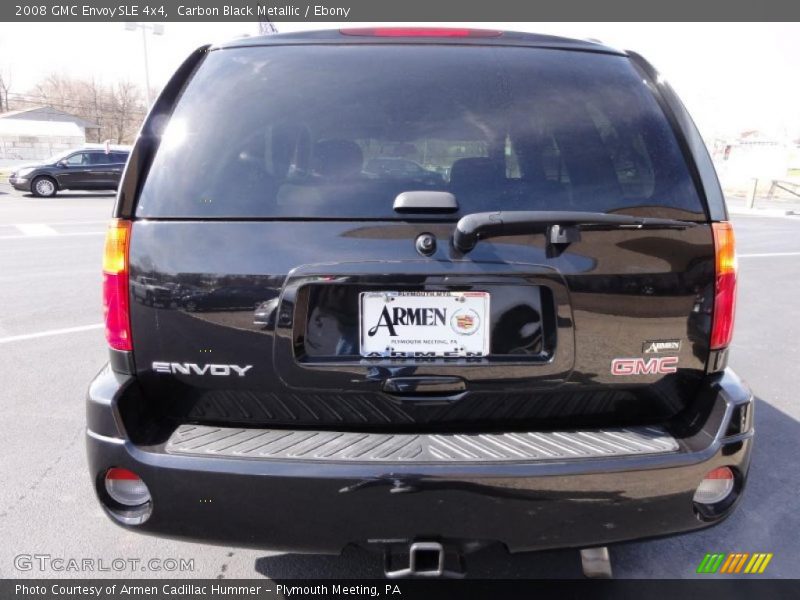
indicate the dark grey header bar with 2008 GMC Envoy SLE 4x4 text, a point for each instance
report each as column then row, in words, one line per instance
column 356, row 11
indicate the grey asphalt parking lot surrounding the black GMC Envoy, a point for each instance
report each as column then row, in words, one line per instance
column 51, row 345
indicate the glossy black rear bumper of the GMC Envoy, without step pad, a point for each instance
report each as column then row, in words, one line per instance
column 321, row 506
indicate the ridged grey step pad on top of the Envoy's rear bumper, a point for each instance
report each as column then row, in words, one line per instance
column 229, row 442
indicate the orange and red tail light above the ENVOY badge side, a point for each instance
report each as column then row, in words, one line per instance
column 115, row 285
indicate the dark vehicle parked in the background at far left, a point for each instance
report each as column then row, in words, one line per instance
column 82, row 169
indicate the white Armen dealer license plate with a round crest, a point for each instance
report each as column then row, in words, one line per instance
column 424, row 324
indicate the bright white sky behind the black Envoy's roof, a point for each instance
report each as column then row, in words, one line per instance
column 732, row 76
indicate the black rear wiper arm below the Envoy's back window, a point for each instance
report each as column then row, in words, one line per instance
column 562, row 225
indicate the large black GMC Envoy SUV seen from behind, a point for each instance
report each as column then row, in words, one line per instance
column 528, row 350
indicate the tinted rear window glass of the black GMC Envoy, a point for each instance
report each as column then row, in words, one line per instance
column 340, row 131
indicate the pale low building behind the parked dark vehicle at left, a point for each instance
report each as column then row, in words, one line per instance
column 40, row 132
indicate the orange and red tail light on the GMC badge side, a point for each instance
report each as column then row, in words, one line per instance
column 725, row 288
